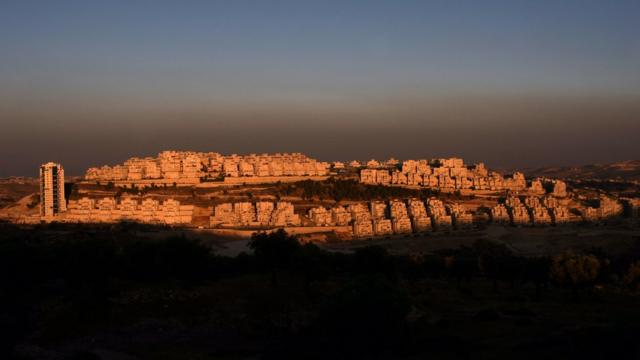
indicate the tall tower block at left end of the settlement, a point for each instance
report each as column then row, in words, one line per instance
column 52, row 200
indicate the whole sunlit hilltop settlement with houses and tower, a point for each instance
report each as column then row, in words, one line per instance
column 306, row 196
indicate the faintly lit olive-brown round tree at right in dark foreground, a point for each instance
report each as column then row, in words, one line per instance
column 575, row 270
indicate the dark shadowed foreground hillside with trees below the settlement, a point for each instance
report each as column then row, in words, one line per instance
column 114, row 293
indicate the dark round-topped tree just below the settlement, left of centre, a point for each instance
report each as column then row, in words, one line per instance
column 274, row 250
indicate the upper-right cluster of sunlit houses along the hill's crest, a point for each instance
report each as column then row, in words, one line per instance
column 452, row 174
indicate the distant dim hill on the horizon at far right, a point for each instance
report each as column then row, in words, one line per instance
column 623, row 170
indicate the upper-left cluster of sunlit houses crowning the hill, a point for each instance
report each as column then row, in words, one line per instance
column 187, row 167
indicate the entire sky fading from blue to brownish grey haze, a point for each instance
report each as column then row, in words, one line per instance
column 512, row 83
